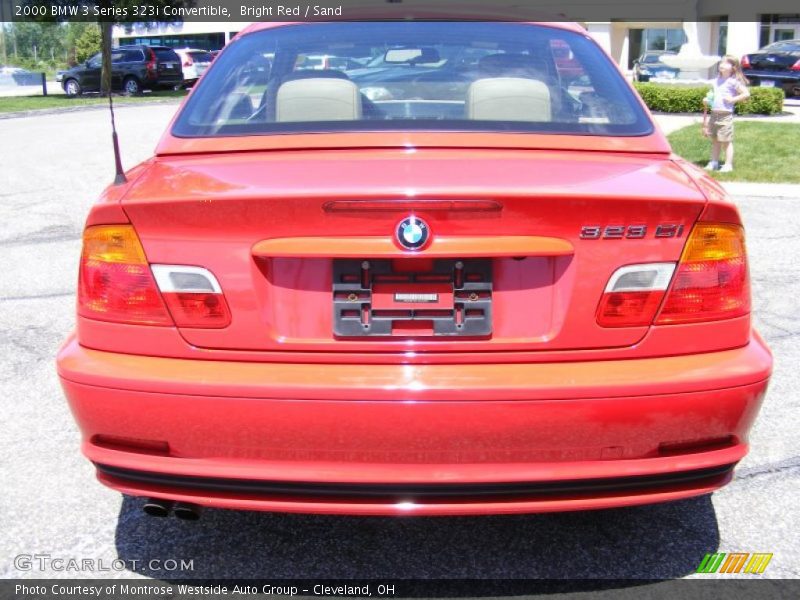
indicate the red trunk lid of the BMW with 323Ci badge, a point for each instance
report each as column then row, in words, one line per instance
column 287, row 234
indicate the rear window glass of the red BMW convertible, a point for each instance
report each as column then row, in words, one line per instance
column 453, row 76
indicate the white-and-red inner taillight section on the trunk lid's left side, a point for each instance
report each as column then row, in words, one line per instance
column 193, row 296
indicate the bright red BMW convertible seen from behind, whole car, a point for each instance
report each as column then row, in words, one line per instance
column 449, row 268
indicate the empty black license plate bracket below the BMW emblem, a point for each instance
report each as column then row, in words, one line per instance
column 450, row 298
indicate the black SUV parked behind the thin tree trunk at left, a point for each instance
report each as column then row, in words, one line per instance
column 133, row 69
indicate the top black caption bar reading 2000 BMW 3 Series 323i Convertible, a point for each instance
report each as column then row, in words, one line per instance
column 165, row 11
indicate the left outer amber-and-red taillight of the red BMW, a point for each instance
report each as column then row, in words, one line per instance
column 115, row 282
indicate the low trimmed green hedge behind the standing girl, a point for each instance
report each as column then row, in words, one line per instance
column 687, row 99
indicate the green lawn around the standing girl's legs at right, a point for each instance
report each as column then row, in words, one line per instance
column 765, row 152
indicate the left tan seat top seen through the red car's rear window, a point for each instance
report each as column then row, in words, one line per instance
column 318, row 99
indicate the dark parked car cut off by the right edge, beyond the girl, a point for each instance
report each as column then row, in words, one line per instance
column 776, row 65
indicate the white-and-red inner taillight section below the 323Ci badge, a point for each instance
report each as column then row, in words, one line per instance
column 633, row 295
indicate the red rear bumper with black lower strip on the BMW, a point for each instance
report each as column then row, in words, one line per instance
column 399, row 439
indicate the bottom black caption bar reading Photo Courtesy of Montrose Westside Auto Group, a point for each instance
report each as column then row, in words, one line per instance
column 146, row 589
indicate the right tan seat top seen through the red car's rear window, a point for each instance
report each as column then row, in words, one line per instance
column 509, row 99
